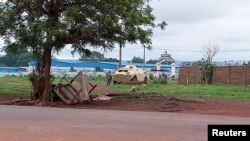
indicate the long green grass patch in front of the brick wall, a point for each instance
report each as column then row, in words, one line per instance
column 211, row 91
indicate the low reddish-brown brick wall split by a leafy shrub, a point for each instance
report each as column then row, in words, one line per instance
column 235, row 75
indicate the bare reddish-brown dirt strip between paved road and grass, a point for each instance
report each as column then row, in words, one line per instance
column 148, row 102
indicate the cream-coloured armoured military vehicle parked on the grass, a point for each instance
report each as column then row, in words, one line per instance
column 130, row 75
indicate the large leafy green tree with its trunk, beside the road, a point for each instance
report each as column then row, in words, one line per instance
column 46, row 26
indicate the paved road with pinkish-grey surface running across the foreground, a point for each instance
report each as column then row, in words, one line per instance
column 20, row 123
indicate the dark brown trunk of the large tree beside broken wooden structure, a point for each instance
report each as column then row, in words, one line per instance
column 46, row 75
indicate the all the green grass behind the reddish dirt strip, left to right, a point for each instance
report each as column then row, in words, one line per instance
column 21, row 85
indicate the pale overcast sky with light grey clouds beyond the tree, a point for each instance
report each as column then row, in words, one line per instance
column 191, row 25
